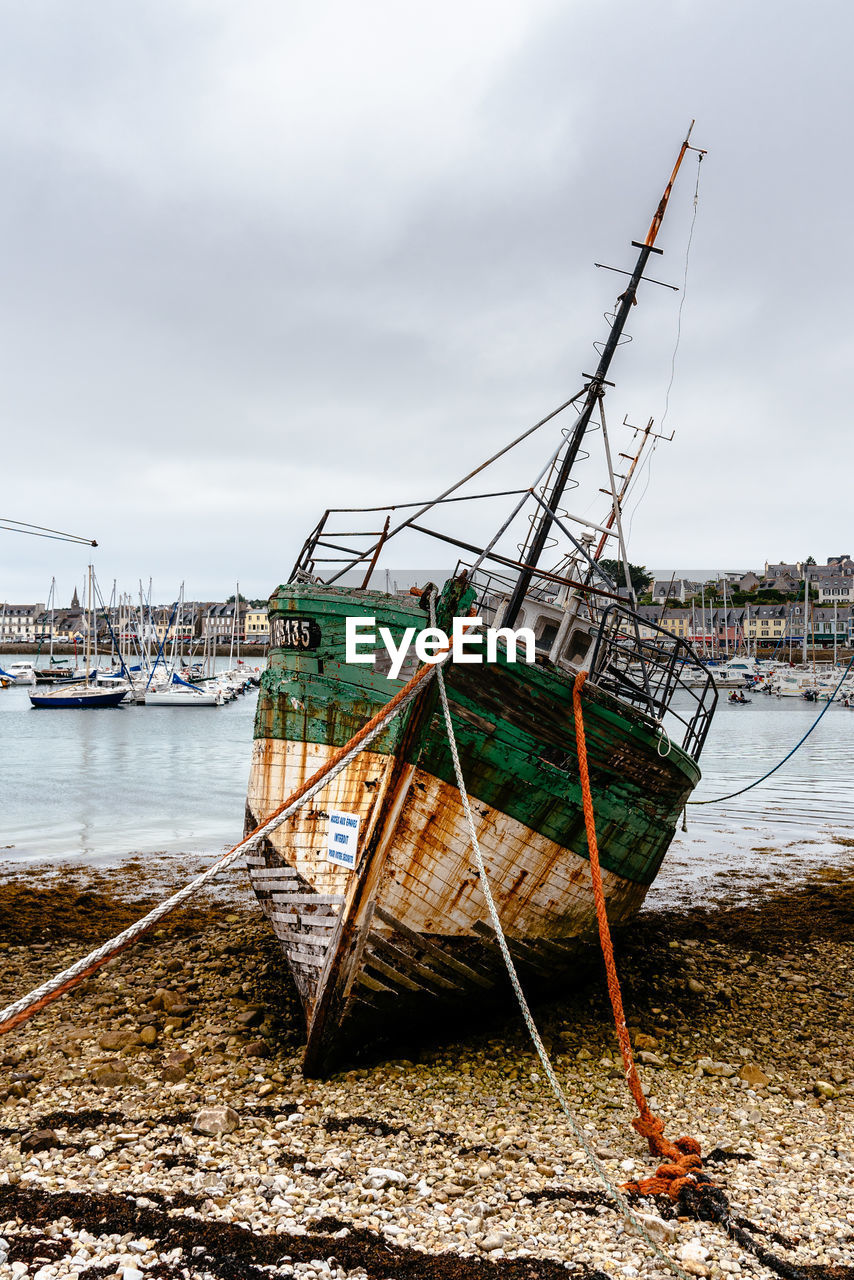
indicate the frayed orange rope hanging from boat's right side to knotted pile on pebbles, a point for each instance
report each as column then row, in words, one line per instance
column 682, row 1159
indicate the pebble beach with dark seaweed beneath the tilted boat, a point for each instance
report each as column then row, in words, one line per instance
column 156, row 1123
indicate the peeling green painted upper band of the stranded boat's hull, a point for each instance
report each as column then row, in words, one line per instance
column 514, row 725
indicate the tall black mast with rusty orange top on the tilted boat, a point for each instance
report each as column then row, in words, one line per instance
column 592, row 399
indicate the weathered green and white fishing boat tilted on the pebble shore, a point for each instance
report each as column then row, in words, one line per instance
column 372, row 889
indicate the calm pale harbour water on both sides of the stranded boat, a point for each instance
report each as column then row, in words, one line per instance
column 103, row 784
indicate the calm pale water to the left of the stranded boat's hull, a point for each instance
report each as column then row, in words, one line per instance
column 102, row 784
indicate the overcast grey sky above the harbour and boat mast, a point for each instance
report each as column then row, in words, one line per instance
column 261, row 259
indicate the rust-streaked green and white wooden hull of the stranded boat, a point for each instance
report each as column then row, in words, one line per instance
column 405, row 935
